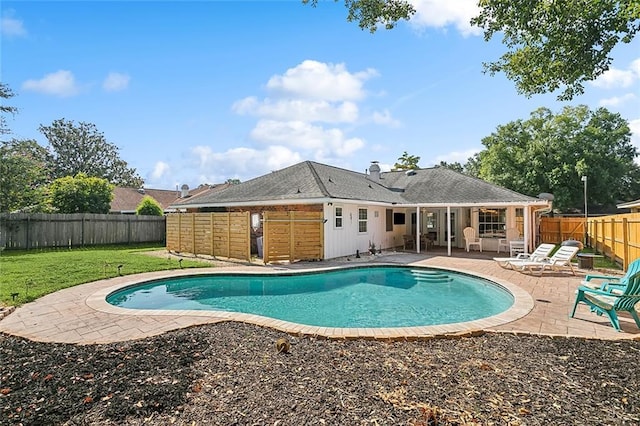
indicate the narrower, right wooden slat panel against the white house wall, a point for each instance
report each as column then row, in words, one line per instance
column 293, row 235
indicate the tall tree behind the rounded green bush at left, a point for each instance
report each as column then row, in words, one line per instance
column 82, row 148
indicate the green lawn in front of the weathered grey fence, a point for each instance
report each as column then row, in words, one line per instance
column 27, row 275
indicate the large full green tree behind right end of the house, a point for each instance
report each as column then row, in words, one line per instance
column 550, row 153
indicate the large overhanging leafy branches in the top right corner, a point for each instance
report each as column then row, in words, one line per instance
column 557, row 44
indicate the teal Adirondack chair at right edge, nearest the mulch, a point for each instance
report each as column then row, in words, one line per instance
column 606, row 302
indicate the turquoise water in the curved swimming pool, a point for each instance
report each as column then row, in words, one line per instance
column 380, row 296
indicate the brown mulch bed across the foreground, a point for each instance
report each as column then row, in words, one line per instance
column 231, row 373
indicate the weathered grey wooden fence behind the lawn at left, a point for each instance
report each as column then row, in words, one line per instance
column 39, row 230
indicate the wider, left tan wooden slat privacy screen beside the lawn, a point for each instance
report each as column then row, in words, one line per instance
column 215, row 234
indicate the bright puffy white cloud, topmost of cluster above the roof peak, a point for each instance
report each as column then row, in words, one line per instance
column 318, row 80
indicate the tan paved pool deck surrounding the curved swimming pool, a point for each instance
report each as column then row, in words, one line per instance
column 543, row 304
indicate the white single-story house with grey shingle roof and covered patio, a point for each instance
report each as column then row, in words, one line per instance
column 433, row 205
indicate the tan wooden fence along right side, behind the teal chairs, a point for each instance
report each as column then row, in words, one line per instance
column 616, row 236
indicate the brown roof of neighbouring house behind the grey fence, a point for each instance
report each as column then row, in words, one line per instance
column 126, row 200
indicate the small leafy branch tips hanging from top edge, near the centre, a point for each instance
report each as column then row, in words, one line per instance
column 372, row 13
